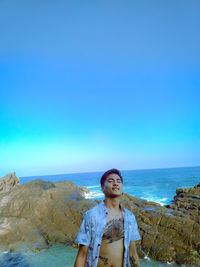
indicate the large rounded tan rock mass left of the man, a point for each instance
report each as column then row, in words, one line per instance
column 39, row 212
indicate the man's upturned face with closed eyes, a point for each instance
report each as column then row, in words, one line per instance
column 113, row 186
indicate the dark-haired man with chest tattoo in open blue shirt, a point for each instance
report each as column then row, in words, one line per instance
column 108, row 231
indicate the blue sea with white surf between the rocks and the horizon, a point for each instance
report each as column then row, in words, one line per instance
column 158, row 185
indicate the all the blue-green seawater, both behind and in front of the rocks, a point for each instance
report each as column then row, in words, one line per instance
column 158, row 185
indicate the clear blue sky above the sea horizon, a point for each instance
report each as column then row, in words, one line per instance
column 90, row 85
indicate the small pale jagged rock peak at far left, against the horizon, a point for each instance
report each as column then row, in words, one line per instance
column 8, row 182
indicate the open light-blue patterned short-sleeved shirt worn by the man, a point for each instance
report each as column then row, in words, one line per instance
column 92, row 229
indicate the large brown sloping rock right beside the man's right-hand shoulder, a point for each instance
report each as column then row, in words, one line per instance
column 167, row 234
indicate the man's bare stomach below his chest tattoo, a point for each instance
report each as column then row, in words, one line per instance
column 111, row 254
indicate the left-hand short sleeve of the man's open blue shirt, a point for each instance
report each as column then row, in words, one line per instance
column 83, row 236
